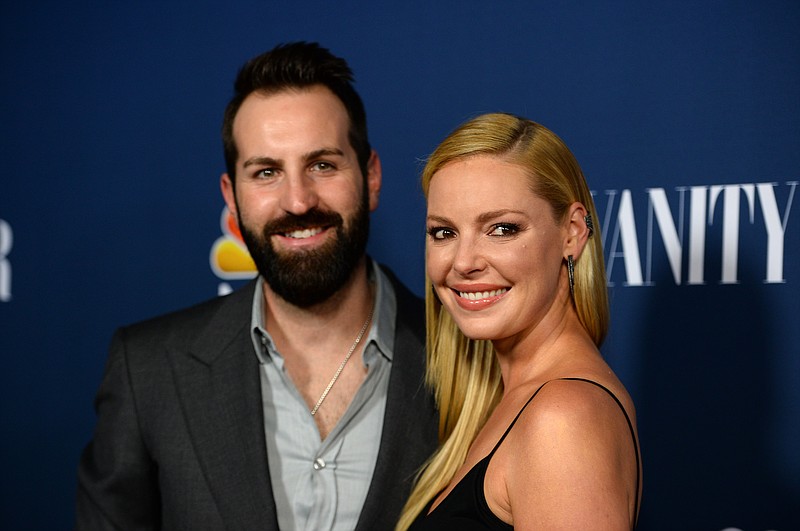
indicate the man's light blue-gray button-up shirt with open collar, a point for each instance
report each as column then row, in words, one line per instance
column 322, row 485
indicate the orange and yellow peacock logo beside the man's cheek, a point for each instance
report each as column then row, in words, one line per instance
column 229, row 258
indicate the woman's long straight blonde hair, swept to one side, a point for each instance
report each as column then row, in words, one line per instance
column 464, row 373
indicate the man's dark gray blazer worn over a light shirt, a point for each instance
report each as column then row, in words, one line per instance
column 179, row 442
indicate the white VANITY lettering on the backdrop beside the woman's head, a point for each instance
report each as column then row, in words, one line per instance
column 694, row 212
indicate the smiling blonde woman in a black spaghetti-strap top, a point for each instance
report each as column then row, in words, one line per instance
column 537, row 432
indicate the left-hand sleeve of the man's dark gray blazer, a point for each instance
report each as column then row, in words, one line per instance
column 117, row 479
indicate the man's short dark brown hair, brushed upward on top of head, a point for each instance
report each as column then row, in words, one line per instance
column 297, row 65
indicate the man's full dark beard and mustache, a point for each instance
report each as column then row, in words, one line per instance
column 308, row 277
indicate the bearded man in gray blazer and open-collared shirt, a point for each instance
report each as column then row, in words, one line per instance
column 297, row 402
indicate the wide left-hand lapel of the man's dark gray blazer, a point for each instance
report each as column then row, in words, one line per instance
column 218, row 383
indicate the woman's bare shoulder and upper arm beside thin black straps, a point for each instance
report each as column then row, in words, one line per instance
column 568, row 458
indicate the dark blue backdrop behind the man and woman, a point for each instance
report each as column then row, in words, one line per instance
column 684, row 116
